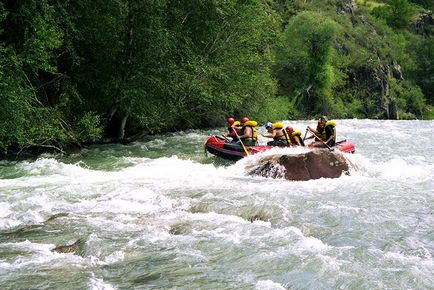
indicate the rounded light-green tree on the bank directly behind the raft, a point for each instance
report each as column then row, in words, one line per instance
column 306, row 53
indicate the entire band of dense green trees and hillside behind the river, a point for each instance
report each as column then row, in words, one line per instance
column 81, row 71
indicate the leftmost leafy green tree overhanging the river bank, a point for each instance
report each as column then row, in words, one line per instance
column 33, row 92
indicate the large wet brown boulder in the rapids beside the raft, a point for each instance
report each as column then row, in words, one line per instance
column 314, row 164
